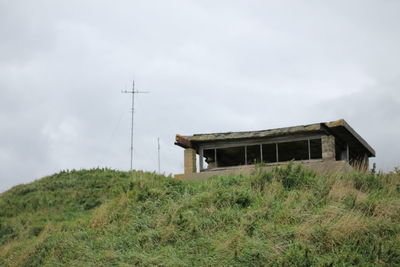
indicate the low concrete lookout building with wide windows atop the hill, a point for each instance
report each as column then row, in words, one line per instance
column 323, row 147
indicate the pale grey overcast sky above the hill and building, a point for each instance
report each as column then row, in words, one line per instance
column 210, row 66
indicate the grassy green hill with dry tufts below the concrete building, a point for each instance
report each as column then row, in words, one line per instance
column 289, row 216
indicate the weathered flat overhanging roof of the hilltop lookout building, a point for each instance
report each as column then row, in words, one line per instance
column 340, row 129
